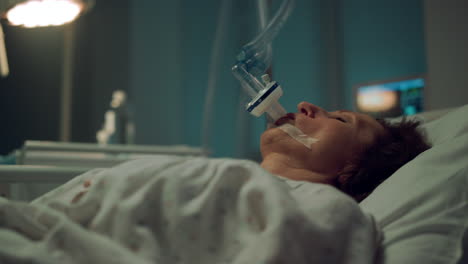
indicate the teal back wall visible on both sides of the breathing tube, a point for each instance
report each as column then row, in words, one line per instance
column 170, row 50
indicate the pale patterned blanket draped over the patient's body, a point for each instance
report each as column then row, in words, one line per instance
column 169, row 209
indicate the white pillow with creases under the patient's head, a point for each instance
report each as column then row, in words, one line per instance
column 423, row 207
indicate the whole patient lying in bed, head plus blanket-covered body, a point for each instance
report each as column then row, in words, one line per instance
column 196, row 210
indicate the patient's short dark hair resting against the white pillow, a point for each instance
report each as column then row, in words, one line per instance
column 402, row 143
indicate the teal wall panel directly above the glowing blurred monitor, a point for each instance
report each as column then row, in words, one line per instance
column 381, row 40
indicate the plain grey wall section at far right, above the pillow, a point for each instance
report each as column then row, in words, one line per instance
column 446, row 31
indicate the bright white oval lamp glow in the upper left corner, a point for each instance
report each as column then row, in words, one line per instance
column 41, row 13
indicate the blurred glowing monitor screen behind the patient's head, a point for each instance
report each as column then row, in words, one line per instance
column 390, row 98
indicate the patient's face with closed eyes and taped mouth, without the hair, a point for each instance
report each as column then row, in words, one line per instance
column 342, row 136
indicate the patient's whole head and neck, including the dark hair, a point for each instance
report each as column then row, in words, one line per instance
column 354, row 151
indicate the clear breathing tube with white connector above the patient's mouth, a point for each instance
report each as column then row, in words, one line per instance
column 253, row 60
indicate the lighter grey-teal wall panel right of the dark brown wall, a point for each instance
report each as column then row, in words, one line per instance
column 156, row 71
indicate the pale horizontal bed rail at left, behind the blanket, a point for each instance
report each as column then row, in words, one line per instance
column 39, row 166
